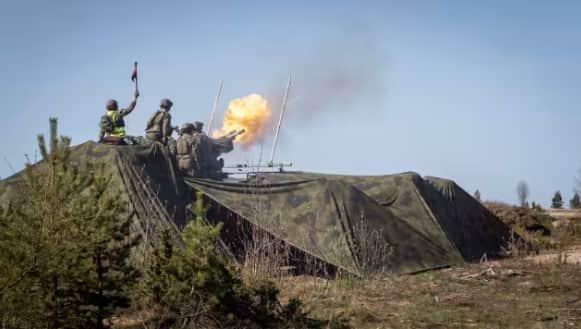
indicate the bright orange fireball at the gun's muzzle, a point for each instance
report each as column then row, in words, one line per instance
column 251, row 113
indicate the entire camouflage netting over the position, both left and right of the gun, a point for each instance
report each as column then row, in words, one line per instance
column 417, row 223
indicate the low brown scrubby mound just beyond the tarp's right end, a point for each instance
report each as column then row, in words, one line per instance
column 520, row 218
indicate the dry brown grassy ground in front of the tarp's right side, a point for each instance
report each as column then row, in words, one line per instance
column 518, row 292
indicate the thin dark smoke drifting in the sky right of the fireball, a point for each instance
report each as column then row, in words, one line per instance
column 335, row 76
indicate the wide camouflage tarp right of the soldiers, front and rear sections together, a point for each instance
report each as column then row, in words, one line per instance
column 427, row 223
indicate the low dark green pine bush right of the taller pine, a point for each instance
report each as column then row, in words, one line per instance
column 189, row 283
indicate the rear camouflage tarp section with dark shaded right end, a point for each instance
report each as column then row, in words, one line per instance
column 436, row 207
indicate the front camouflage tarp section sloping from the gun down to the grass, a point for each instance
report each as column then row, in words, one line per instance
column 330, row 219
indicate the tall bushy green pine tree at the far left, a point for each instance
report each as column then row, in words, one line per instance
column 63, row 245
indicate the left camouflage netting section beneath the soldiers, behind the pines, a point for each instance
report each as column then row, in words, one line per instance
column 142, row 175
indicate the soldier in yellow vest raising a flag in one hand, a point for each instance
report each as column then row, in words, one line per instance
column 112, row 125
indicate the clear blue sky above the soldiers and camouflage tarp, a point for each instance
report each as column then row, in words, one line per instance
column 486, row 93
